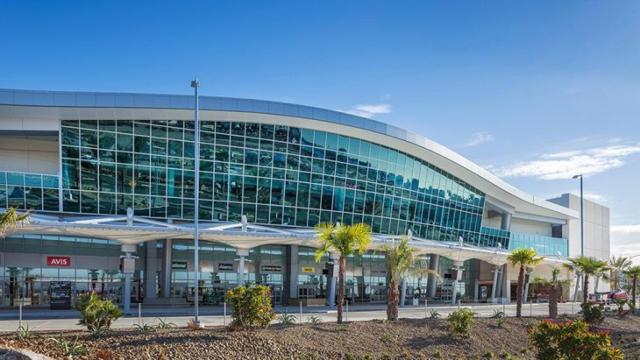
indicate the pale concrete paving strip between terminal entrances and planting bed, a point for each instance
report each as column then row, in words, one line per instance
column 214, row 316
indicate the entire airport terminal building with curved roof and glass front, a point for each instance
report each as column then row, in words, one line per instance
column 107, row 175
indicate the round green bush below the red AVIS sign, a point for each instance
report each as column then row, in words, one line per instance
column 97, row 314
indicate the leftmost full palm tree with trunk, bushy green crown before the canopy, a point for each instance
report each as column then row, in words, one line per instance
column 345, row 240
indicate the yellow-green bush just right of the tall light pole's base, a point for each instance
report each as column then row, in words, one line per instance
column 251, row 306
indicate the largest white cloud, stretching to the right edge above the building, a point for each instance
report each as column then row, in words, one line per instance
column 565, row 164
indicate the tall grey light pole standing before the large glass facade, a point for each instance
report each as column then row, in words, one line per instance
column 195, row 84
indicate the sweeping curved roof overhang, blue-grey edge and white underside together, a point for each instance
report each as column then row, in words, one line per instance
column 36, row 107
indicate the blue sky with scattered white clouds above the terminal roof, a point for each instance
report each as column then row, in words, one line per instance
column 533, row 90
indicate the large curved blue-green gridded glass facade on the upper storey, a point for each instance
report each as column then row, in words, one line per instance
column 273, row 174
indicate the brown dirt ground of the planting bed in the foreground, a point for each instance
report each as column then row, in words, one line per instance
column 404, row 339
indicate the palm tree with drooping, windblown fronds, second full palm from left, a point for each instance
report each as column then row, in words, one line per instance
column 400, row 261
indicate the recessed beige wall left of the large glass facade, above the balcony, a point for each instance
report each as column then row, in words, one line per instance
column 36, row 154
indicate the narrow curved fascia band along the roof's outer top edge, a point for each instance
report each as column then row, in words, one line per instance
column 521, row 201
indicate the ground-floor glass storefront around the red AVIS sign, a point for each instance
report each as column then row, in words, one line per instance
column 25, row 276
